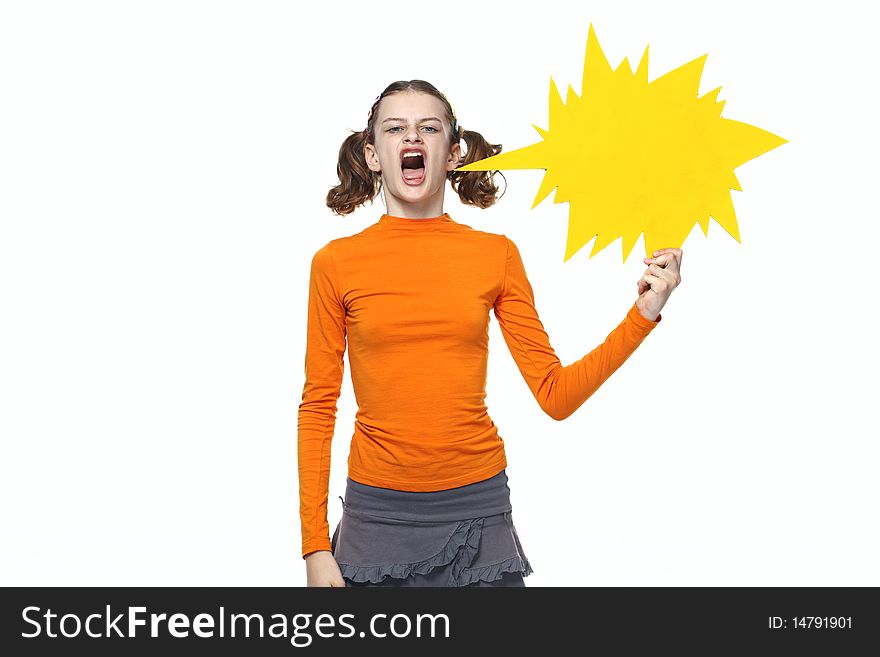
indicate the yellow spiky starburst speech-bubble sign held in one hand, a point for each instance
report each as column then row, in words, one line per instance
column 632, row 156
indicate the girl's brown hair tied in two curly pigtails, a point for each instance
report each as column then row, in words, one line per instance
column 358, row 184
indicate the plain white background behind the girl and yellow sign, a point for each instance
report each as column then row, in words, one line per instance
column 163, row 171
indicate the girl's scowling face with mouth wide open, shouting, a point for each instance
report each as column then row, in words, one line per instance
column 412, row 122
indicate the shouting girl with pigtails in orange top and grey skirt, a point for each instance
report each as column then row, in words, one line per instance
column 426, row 500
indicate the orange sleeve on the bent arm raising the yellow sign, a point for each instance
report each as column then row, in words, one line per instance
column 560, row 390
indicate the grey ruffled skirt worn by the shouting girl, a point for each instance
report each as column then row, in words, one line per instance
column 460, row 536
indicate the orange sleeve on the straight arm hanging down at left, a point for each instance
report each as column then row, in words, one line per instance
column 325, row 346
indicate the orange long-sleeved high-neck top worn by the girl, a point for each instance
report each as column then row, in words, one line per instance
column 412, row 299
